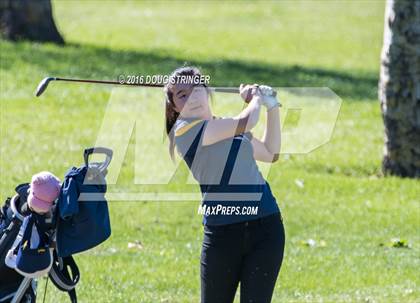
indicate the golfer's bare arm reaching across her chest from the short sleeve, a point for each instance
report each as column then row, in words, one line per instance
column 219, row 129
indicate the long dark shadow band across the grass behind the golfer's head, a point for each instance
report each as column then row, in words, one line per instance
column 86, row 61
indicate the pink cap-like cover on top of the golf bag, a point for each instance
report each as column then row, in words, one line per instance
column 44, row 189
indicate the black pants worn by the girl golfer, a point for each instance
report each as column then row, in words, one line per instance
column 250, row 253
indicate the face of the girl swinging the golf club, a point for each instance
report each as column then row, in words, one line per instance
column 190, row 101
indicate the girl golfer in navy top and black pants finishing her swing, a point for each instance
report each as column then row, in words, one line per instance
column 243, row 229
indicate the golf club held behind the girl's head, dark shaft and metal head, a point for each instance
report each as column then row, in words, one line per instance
column 44, row 84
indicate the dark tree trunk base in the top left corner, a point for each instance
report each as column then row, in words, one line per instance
column 28, row 19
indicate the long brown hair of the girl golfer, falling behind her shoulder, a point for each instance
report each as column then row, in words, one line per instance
column 171, row 115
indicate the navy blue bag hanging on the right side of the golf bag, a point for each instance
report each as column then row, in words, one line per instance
column 82, row 221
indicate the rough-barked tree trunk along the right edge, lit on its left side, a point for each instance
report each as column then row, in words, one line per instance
column 399, row 88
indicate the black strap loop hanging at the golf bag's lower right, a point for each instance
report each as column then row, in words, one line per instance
column 61, row 277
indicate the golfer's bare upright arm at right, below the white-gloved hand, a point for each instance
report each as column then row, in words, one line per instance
column 268, row 148
